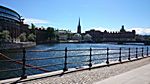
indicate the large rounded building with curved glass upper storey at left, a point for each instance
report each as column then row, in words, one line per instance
column 10, row 20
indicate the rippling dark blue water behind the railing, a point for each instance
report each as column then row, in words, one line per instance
column 98, row 56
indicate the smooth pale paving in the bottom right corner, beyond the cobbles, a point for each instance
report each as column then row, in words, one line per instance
column 140, row 75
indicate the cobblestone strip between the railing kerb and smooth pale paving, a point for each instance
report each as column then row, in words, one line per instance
column 90, row 76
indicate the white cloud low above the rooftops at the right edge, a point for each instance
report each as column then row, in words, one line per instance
column 142, row 31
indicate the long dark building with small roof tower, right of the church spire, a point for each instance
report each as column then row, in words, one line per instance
column 122, row 35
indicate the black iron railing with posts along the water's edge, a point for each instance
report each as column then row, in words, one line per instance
column 94, row 55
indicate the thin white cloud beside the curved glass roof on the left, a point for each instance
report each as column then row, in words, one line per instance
column 35, row 21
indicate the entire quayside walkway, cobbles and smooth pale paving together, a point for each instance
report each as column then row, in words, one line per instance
column 140, row 68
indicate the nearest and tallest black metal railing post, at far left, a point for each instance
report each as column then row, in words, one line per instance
column 23, row 65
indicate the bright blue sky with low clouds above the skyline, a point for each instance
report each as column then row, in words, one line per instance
column 94, row 14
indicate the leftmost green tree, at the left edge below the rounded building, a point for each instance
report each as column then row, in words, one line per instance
column 5, row 36
